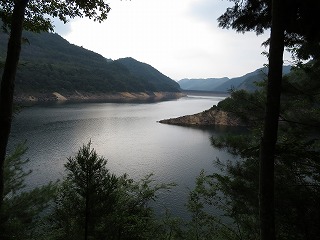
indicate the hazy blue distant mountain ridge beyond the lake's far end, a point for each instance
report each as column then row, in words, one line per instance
column 225, row 84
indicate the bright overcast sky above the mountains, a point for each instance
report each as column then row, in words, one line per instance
column 180, row 38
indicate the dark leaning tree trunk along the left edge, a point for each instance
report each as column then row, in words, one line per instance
column 7, row 83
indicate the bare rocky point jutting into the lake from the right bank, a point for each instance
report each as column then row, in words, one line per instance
column 211, row 117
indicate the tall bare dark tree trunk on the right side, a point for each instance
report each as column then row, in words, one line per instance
column 270, row 132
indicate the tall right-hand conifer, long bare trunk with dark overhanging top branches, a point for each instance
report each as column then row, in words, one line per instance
column 293, row 24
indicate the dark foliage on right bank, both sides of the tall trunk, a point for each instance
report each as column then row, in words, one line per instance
column 226, row 203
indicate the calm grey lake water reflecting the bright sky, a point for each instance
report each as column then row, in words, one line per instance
column 128, row 135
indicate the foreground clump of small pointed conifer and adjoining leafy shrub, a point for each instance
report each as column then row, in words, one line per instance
column 92, row 198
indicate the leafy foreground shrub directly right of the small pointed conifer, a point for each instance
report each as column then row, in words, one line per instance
column 133, row 218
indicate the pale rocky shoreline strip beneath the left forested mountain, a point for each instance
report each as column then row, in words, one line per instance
column 97, row 97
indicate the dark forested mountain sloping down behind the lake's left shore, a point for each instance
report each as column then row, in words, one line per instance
column 50, row 63
